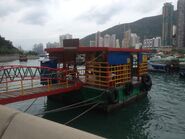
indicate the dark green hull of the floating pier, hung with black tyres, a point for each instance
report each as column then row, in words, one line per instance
column 111, row 99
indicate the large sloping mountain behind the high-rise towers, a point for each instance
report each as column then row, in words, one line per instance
column 148, row 27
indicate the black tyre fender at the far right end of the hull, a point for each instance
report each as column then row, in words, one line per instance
column 147, row 82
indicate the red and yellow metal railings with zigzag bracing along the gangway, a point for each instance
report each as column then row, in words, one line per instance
column 20, row 80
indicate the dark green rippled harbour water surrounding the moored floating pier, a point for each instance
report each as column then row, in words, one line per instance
column 158, row 116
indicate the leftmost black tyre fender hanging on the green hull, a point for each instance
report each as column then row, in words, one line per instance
column 112, row 96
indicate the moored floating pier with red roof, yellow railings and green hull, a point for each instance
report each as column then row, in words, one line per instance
column 113, row 77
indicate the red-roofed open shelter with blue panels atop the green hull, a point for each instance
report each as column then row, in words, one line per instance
column 103, row 67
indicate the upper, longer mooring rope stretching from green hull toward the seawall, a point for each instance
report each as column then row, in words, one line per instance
column 75, row 105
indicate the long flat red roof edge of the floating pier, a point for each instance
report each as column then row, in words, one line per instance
column 96, row 49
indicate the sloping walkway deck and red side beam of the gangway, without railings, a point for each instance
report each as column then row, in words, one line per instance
column 19, row 95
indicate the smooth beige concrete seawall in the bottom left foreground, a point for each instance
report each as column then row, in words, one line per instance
column 17, row 125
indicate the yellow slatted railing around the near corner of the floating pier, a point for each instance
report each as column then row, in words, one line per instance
column 103, row 75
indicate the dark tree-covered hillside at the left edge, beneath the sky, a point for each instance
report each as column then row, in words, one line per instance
column 6, row 47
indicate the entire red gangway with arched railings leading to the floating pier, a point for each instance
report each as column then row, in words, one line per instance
column 18, row 83
